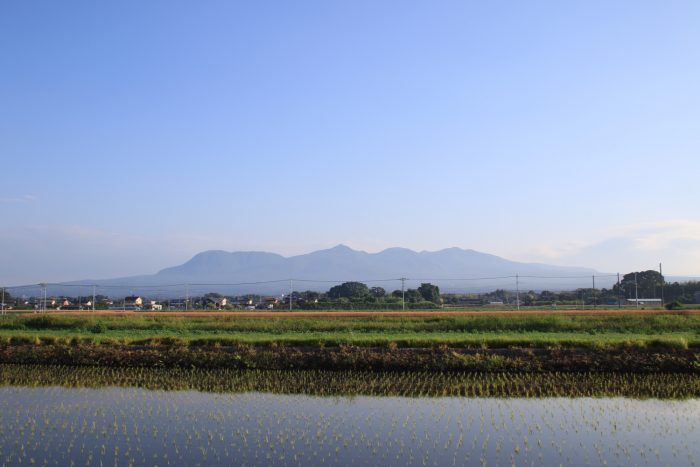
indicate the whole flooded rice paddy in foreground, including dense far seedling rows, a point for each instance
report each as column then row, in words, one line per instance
column 65, row 416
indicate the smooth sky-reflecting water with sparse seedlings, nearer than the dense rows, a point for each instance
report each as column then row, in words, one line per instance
column 128, row 425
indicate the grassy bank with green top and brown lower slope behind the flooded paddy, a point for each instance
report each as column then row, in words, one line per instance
column 530, row 343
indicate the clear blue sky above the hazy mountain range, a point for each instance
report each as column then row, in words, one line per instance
column 135, row 134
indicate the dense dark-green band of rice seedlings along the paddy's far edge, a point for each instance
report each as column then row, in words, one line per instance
column 353, row 383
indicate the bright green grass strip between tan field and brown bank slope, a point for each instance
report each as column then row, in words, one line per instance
column 678, row 331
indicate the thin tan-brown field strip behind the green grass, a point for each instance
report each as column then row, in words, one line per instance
column 359, row 314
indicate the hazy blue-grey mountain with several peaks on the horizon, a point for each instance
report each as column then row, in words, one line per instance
column 453, row 269
